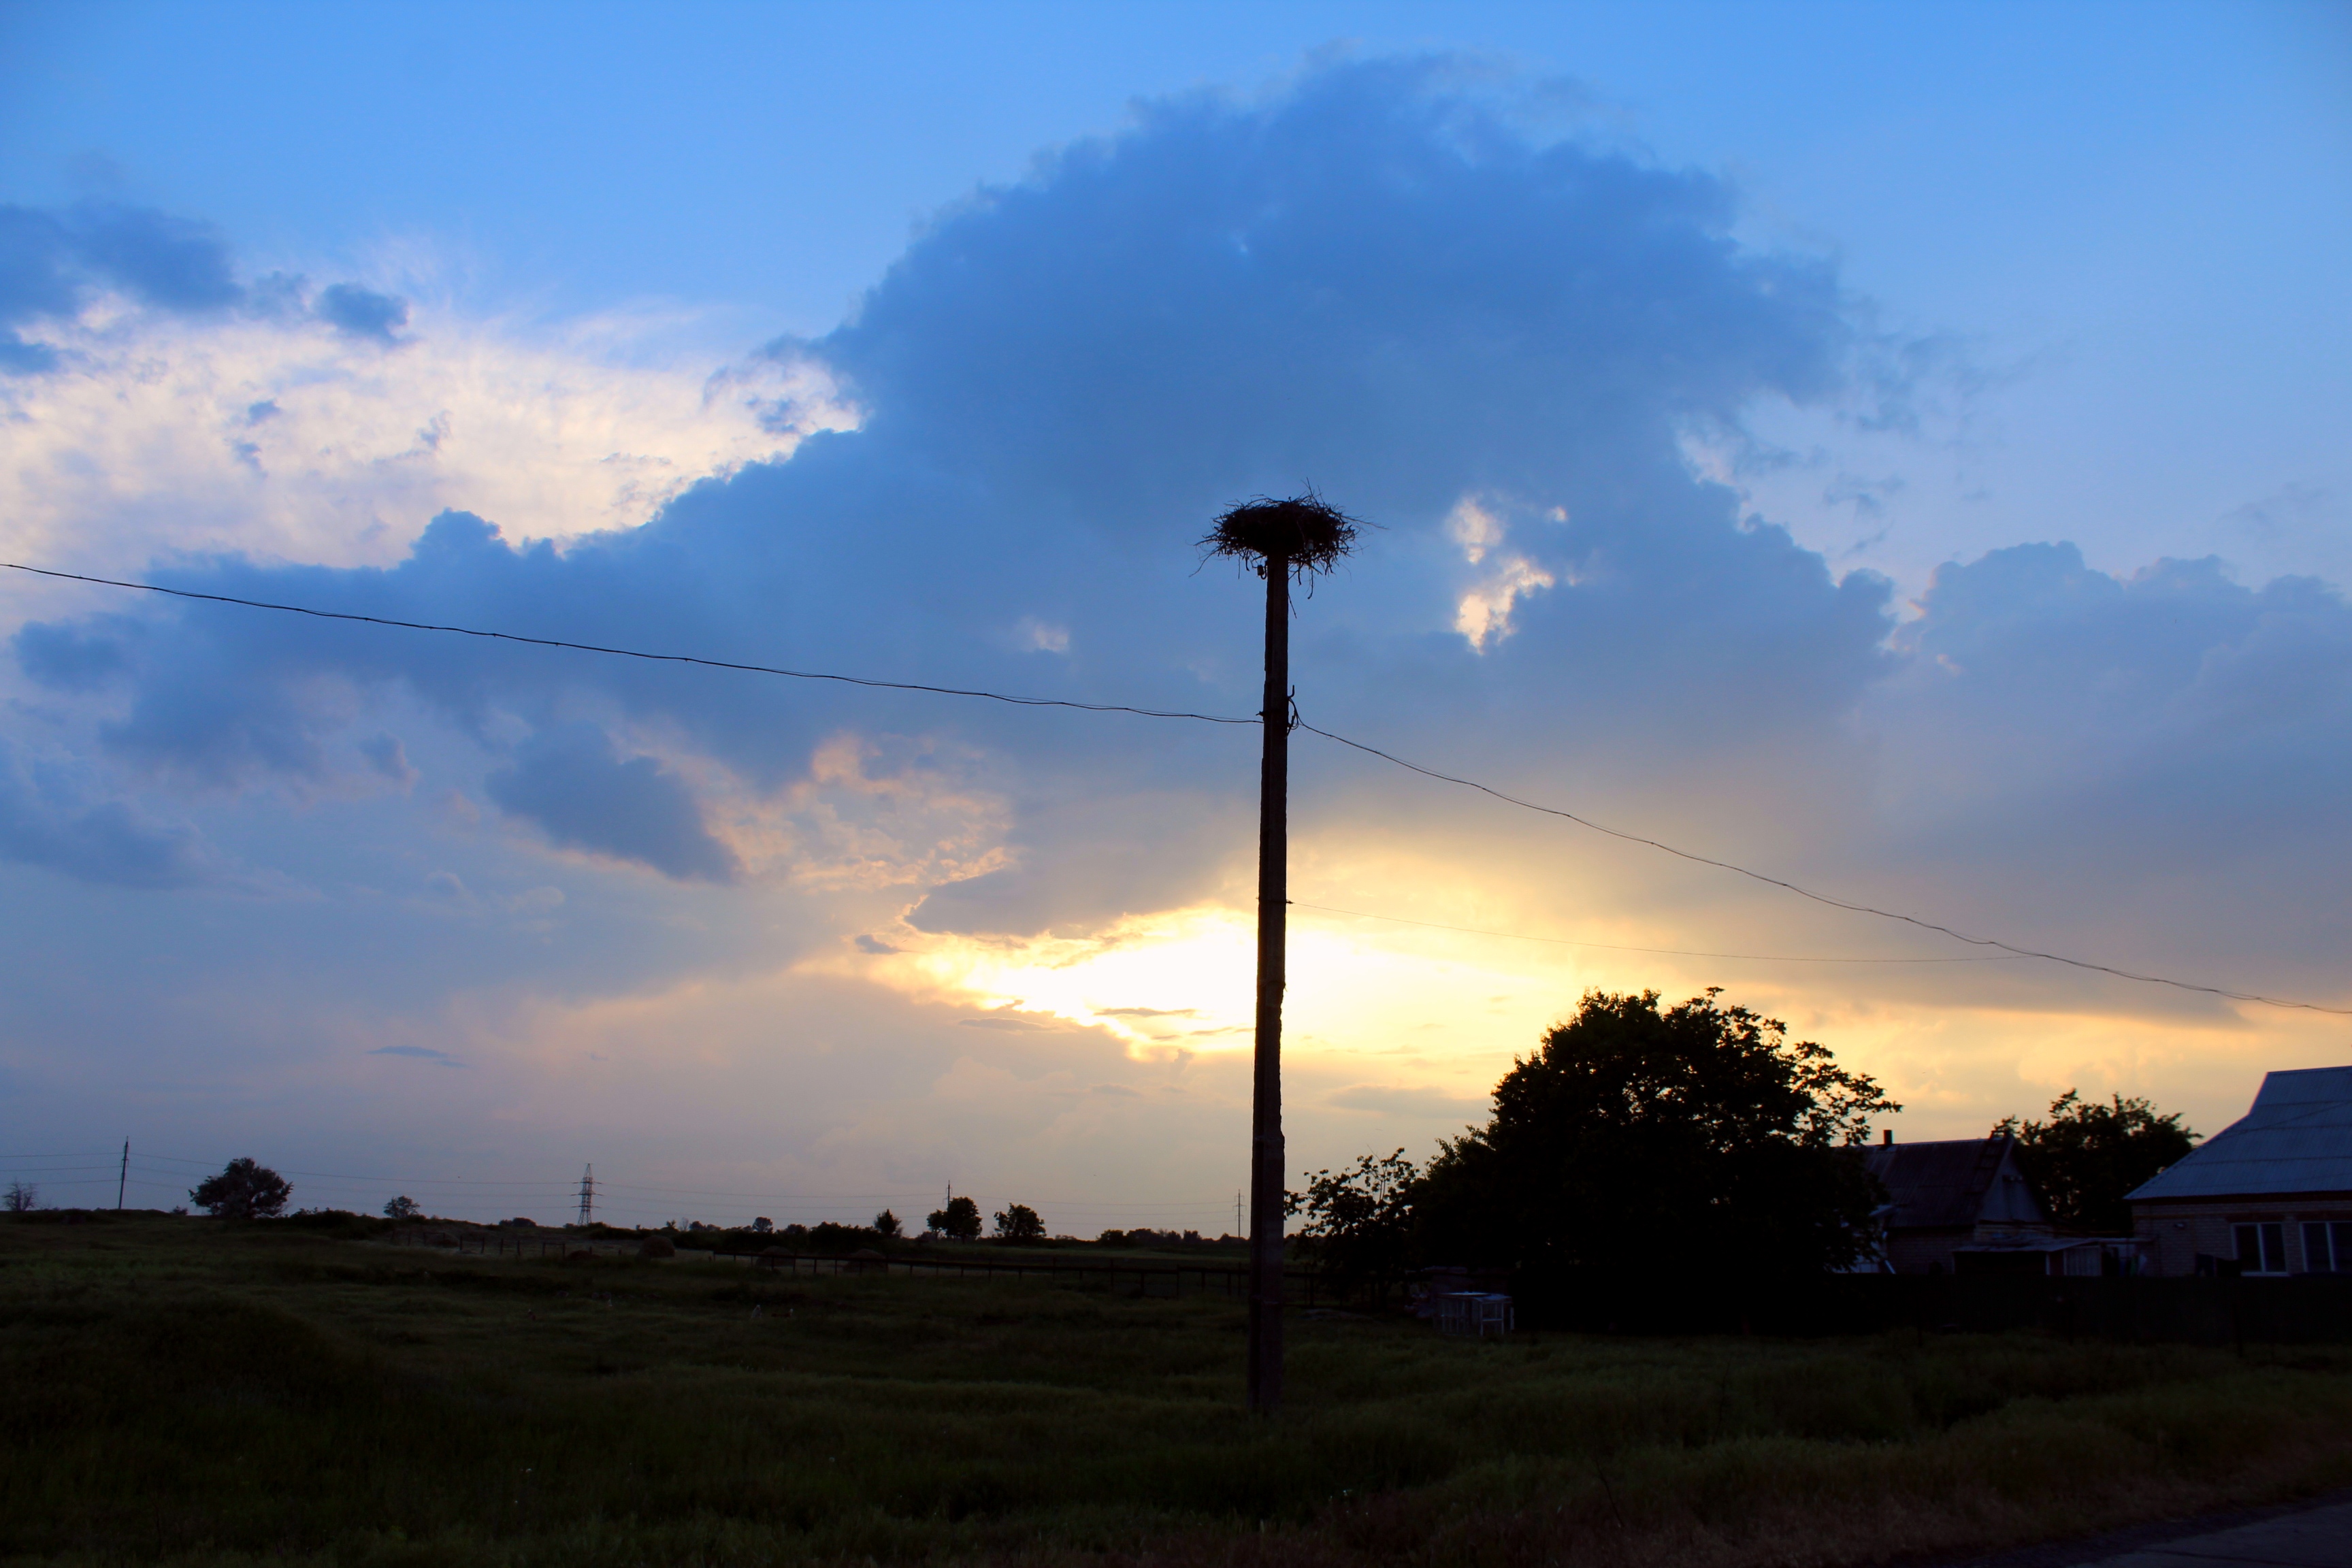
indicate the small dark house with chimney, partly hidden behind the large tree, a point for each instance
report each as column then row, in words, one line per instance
column 1951, row 1198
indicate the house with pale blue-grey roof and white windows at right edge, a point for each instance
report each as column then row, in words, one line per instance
column 2266, row 1195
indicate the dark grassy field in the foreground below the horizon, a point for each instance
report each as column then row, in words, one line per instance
column 201, row 1393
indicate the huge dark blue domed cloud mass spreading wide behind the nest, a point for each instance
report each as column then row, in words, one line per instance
column 1375, row 283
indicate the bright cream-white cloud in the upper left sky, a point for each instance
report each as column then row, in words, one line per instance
column 269, row 417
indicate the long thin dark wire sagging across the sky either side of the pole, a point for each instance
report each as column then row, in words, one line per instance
column 1210, row 718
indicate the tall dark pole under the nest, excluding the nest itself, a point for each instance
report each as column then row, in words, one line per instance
column 1267, row 1162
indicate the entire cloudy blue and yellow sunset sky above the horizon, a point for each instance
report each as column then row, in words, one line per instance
column 1895, row 450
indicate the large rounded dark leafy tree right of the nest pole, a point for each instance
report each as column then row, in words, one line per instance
column 1692, row 1139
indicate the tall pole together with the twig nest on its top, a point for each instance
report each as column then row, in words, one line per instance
column 1281, row 542
